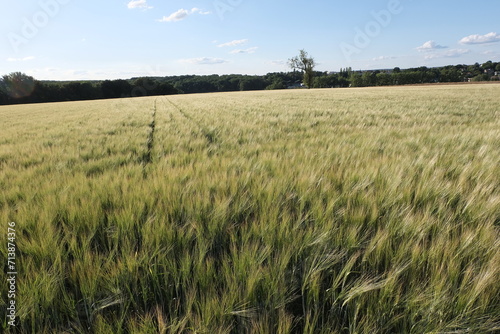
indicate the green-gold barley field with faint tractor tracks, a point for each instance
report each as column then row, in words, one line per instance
column 373, row 210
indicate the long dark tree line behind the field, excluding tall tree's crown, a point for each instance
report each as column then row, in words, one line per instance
column 18, row 88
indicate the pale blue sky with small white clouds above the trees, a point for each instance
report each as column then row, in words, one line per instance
column 109, row 39
